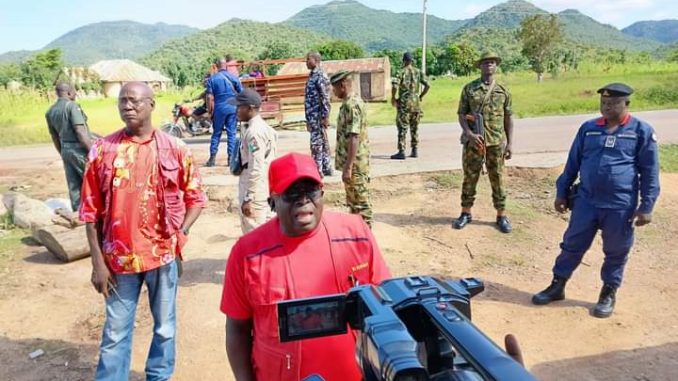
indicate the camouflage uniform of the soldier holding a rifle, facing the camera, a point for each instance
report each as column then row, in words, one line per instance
column 498, row 105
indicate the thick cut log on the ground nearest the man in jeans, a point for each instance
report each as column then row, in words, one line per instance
column 65, row 244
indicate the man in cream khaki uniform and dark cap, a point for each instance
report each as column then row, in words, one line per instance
column 257, row 149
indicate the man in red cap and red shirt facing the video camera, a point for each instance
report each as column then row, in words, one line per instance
column 301, row 253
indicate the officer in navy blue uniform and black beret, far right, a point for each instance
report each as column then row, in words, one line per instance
column 615, row 158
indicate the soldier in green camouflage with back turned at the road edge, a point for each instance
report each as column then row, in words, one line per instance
column 409, row 111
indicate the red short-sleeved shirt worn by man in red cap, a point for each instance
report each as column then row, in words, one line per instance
column 266, row 267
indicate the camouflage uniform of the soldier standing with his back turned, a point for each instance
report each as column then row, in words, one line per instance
column 409, row 111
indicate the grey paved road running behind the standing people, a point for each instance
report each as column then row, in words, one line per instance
column 539, row 142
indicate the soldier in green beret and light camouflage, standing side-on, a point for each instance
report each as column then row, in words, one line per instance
column 353, row 147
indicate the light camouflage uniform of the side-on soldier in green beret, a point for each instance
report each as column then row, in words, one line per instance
column 353, row 120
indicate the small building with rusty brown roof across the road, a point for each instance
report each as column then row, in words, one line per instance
column 373, row 75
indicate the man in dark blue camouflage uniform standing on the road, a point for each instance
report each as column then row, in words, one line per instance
column 317, row 107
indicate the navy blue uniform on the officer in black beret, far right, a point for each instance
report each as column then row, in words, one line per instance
column 613, row 169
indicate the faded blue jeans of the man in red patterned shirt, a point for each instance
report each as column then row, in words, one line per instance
column 116, row 341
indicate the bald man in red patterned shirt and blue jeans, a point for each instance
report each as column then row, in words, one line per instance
column 141, row 194
